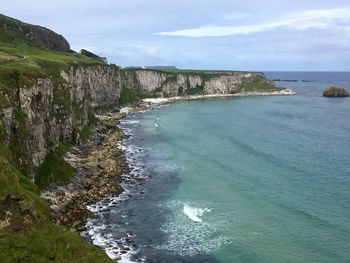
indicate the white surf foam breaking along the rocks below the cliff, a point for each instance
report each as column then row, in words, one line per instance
column 119, row 248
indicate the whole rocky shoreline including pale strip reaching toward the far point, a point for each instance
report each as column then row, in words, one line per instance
column 101, row 164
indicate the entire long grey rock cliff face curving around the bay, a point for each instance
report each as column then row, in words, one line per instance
column 47, row 113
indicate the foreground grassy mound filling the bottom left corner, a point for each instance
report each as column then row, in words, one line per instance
column 48, row 243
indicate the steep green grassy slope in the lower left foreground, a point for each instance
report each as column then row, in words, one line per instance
column 42, row 241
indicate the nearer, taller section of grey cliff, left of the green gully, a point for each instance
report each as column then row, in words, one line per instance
column 47, row 113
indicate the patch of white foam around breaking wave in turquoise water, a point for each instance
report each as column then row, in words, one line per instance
column 188, row 234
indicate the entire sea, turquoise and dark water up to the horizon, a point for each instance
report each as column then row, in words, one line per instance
column 248, row 179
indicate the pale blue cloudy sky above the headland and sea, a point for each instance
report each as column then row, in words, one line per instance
column 269, row 35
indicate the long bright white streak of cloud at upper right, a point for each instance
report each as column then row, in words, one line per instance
column 302, row 20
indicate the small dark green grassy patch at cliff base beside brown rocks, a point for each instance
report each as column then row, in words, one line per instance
column 55, row 168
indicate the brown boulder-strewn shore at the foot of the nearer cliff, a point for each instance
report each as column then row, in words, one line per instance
column 99, row 164
